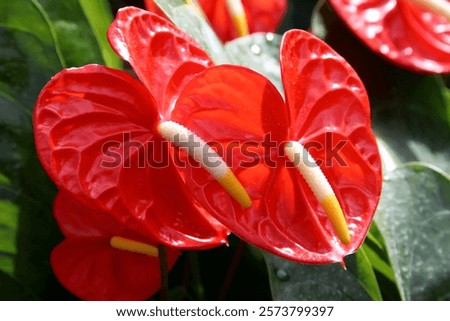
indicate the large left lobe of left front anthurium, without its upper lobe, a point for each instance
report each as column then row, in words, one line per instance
column 94, row 133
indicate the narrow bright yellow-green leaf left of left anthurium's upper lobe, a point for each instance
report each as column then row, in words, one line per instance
column 98, row 14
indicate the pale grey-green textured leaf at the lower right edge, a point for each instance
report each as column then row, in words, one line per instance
column 414, row 218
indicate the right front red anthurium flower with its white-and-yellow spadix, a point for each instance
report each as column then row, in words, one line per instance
column 313, row 207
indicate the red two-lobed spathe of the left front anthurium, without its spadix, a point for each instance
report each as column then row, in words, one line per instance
column 96, row 133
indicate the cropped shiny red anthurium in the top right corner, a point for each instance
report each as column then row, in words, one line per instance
column 414, row 34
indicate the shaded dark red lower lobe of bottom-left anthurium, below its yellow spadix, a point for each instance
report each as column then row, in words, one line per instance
column 92, row 270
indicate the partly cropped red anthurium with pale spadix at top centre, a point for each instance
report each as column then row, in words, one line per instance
column 234, row 18
